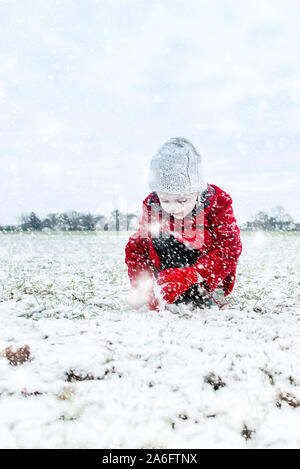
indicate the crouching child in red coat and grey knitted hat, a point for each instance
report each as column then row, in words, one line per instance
column 188, row 243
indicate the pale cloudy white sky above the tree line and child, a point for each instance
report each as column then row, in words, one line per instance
column 90, row 89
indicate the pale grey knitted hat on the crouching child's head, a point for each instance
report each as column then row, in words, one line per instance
column 176, row 168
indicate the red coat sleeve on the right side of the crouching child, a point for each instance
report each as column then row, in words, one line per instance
column 221, row 261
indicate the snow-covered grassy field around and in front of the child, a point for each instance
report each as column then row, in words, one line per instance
column 103, row 376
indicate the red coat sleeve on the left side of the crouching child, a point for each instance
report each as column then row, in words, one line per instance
column 137, row 256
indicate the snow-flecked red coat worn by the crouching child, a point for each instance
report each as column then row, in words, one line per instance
column 219, row 243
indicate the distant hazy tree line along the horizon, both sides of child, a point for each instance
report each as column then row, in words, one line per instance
column 277, row 220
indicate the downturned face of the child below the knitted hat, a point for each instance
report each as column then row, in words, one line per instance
column 177, row 205
